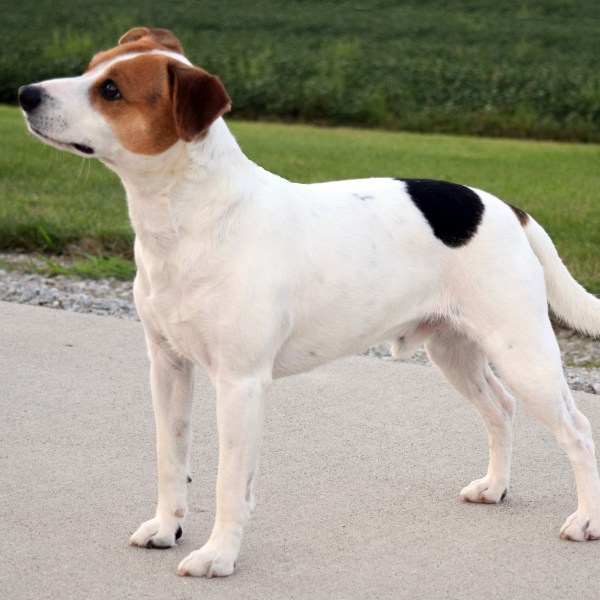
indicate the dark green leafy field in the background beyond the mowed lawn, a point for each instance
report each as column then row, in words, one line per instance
column 517, row 68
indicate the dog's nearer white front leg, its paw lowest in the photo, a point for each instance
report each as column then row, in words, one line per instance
column 240, row 404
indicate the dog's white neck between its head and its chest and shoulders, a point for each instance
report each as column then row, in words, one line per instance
column 191, row 186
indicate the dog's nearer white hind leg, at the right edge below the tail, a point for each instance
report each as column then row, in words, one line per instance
column 514, row 330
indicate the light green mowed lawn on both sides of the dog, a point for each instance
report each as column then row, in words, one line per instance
column 54, row 202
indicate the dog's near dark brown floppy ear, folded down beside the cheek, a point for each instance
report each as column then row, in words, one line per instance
column 199, row 99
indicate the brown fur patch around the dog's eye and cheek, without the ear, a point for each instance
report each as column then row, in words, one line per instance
column 142, row 118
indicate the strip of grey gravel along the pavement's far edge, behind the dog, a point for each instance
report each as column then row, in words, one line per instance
column 110, row 297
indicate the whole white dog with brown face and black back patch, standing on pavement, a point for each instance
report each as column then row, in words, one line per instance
column 253, row 278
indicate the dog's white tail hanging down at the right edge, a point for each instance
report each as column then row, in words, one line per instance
column 569, row 300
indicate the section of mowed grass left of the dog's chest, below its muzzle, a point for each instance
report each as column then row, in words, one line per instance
column 55, row 202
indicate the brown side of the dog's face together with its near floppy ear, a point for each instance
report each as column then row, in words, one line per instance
column 161, row 101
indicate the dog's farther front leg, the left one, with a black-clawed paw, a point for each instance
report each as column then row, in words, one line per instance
column 171, row 380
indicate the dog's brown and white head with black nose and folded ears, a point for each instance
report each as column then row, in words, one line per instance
column 141, row 97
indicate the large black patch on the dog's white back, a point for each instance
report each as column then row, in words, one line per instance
column 453, row 211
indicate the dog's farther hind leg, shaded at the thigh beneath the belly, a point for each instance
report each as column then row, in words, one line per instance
column 465, row 366
